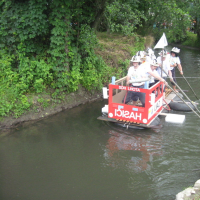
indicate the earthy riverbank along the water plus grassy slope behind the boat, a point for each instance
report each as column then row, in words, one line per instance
column 116, row 51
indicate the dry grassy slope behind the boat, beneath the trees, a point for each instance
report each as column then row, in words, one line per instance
column 117, row 50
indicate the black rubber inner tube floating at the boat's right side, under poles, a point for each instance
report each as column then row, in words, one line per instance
column 181, row 106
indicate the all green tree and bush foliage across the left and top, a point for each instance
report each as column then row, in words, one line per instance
column 50, row 44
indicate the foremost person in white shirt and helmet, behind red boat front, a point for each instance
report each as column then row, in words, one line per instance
column 135, row 78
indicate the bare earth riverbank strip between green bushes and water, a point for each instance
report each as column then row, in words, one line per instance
column 81, row 96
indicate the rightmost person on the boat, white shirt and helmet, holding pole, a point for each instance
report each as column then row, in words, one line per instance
column 175, row 61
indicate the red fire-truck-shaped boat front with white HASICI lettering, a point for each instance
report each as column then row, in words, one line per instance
column 129, row 115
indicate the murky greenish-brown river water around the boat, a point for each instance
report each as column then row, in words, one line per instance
column 74, row 156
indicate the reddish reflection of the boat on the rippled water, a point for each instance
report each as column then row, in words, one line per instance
column 135, row 152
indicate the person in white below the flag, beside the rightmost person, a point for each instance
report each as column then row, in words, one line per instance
column 164, row 67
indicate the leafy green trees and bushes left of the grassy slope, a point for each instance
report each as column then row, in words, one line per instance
column 48, row 44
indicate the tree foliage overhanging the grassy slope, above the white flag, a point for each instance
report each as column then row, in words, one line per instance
column 134, row 16
